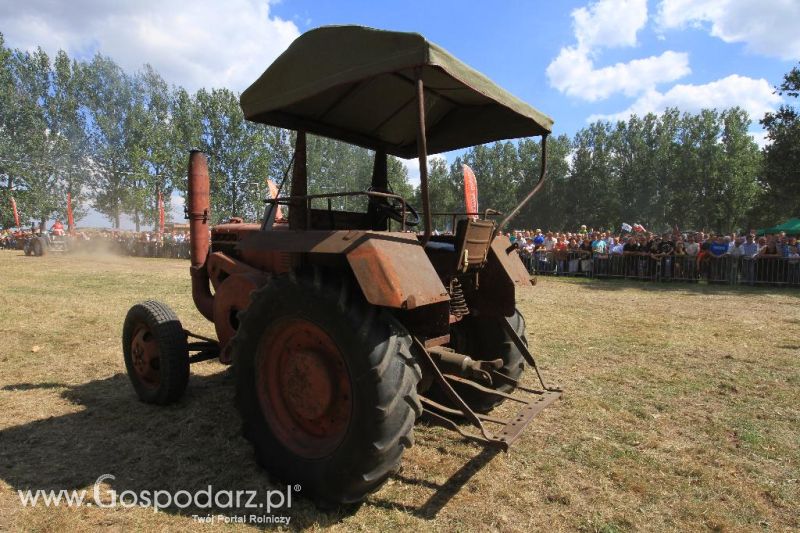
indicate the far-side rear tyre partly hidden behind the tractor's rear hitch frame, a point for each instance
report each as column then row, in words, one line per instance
column 484, row 339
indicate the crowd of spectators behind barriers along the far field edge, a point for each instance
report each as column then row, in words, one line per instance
column 686, row 256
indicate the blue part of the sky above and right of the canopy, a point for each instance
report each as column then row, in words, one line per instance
column 514, row 42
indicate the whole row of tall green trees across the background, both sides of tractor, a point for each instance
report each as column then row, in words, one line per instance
column 114, row 140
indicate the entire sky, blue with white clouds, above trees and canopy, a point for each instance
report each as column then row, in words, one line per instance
column 575, row 60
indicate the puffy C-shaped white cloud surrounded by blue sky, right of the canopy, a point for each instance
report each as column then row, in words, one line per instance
column 607, row 24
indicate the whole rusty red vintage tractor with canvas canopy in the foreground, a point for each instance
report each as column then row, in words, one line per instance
column 341, row 332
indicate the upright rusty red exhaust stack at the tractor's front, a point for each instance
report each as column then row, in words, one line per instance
column 199, row 214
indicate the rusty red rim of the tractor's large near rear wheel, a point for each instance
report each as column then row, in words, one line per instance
column 304, row 388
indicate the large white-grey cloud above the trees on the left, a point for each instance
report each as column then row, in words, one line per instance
column 200, row 44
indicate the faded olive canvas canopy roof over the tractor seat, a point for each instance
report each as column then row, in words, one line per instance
column 357, row 84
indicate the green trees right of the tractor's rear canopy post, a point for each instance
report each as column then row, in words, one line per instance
column 694, row 171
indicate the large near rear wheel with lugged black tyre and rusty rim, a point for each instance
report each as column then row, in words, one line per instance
column 326, row 386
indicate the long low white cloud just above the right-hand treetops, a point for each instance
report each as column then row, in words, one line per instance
column 753, row 95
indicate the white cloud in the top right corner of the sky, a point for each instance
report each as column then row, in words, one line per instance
column 768, row 27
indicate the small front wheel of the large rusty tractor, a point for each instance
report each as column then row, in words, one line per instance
column 156, row 353
